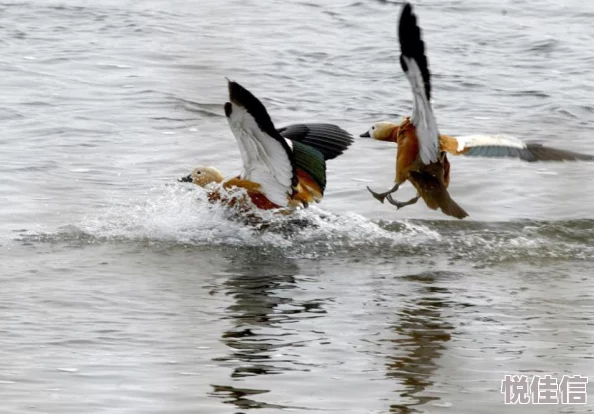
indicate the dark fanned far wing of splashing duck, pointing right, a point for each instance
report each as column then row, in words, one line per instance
column 329, row 139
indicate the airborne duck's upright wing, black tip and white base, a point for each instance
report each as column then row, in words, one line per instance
column 414, row 64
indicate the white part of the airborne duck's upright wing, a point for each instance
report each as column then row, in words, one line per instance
column 422, row 115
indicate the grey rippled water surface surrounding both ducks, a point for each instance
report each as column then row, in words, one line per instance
column 122, row 291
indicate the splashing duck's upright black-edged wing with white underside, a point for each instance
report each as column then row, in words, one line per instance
column 267, row 156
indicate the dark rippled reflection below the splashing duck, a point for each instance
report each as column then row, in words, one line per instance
column 260, row 286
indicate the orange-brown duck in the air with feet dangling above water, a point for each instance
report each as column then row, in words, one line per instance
column 421, row 157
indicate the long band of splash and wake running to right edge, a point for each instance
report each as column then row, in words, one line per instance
column 181, row 215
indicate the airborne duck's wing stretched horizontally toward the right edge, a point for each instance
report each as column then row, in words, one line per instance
column 499, row 146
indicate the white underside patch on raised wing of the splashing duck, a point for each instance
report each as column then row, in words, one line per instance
column 265, row 160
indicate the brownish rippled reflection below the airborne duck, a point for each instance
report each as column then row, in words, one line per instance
column 422, row 334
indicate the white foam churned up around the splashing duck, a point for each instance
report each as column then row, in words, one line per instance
column 182, row 214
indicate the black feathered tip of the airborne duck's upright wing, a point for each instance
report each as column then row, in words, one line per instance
column 412, row 45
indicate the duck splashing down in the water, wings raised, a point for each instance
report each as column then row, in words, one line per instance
column 283, row 167
